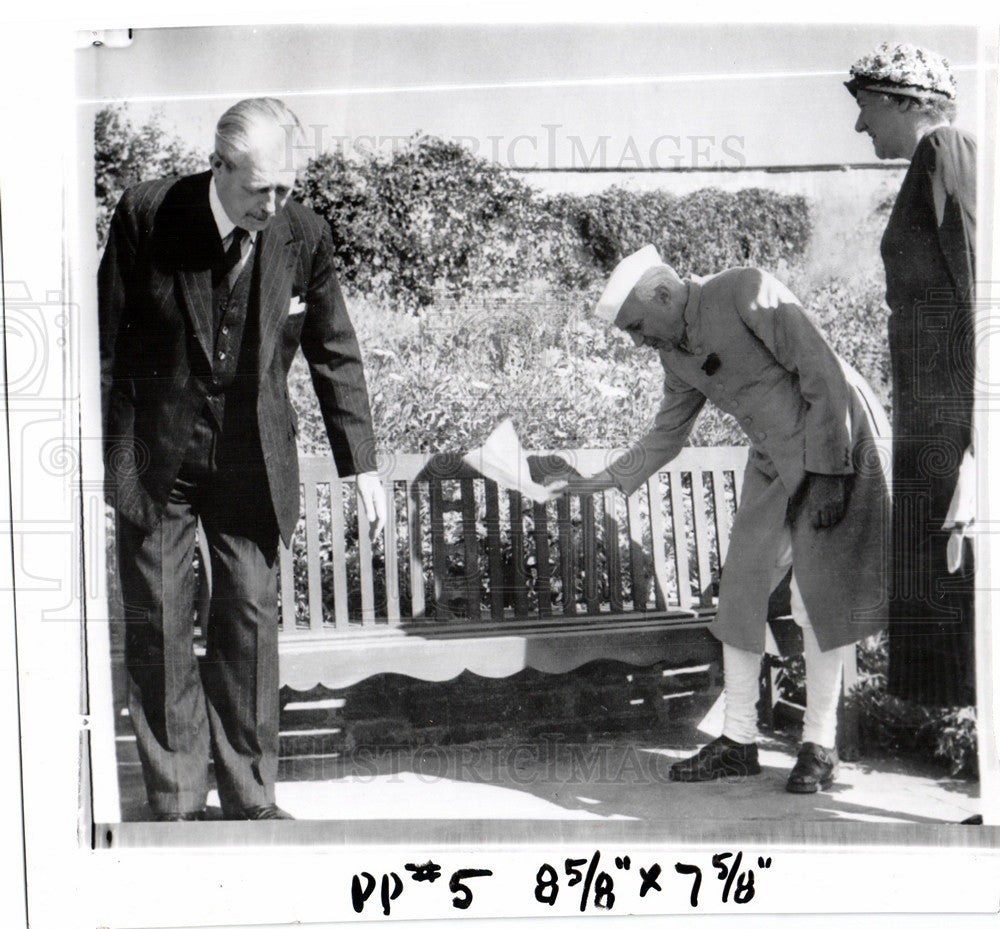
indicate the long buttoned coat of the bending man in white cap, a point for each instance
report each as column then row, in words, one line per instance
column 803, row 410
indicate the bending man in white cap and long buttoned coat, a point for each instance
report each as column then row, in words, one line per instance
column 814, row 492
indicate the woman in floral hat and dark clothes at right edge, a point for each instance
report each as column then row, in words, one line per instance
column 907, row 100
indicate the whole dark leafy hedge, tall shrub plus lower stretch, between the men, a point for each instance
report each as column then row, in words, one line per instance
column 431, row 219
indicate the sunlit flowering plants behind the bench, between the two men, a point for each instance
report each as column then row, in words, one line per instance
column 441, row 382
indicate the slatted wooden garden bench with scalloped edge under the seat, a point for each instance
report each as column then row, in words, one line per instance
column 469, row 577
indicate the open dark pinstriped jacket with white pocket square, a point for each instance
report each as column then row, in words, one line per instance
column 155, row 303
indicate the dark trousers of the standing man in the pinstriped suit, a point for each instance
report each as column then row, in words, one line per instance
column 225, row 709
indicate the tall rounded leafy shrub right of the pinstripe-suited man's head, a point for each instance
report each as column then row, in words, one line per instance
column 430, row 217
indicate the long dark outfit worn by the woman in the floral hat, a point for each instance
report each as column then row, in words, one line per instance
column 930, row 270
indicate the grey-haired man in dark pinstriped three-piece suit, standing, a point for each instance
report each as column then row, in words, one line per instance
column 208, row 285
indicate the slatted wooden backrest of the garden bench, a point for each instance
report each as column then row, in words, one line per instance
column 458, row 549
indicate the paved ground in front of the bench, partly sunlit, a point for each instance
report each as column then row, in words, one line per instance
column 621, row 779
